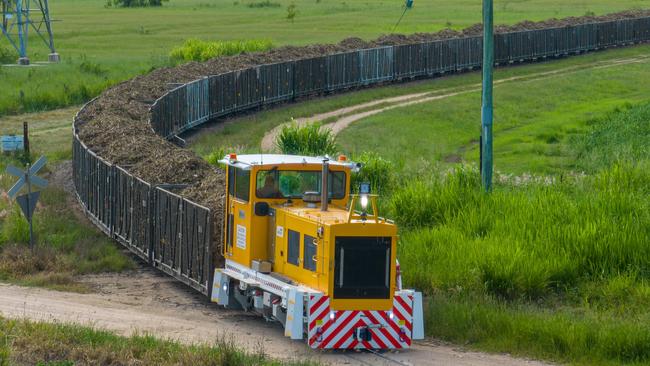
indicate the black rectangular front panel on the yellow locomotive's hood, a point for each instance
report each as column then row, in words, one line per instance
column 362, row 268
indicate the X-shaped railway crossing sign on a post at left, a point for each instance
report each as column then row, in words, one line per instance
column 27, row 202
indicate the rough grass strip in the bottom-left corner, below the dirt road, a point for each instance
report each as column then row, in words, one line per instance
column 37, row 343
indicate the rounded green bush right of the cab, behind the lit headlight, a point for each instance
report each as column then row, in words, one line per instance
column 377, row 171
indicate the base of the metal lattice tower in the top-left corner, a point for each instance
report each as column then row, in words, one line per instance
column 18, row 16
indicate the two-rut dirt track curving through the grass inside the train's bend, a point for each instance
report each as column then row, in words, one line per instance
column 346, row 116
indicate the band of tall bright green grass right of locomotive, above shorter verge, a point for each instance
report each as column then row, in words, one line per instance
column 524, row 242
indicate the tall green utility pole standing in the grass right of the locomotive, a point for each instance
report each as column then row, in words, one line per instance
column 487, row 109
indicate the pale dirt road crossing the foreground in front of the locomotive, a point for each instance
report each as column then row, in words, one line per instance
column 148, row 302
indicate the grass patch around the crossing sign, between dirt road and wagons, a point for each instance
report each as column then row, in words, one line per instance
column 65, row 246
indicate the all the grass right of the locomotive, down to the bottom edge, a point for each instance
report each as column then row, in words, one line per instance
column 547, row 267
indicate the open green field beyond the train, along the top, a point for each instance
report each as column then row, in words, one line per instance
column 100, row 46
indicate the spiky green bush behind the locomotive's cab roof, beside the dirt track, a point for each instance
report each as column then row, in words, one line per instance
column 309, row 140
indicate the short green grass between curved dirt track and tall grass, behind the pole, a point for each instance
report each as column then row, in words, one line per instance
column 533, row 121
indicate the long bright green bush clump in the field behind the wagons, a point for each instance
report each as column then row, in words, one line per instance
column 198, row 50
